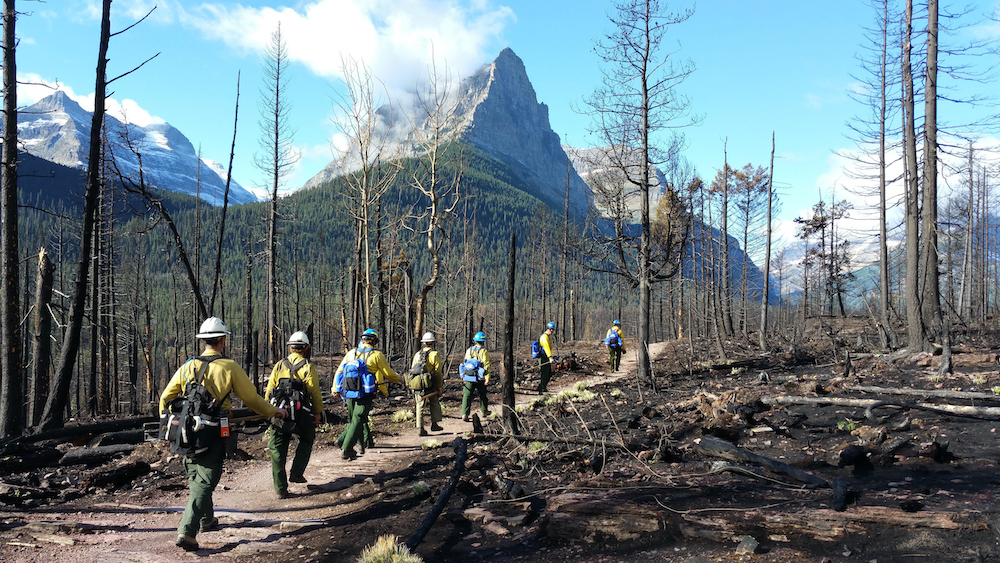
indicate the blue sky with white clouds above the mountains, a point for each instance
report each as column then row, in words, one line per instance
column 763, row 66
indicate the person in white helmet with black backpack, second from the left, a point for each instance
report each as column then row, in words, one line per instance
column 293, row 383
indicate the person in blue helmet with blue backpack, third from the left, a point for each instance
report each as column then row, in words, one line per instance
column 363, row 372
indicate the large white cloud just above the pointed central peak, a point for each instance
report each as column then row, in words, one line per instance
column 396, row 38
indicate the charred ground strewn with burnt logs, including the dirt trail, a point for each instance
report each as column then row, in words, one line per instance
column 823, row 452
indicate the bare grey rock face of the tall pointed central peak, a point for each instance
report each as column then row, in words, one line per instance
column 498, row 112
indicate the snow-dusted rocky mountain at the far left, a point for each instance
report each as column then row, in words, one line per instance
column 57, row 129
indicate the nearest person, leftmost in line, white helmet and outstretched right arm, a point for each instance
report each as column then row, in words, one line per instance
column 204, row 469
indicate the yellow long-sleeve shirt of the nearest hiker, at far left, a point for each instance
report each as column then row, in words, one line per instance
column 222, row 376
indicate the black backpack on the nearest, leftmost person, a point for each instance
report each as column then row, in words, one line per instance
column 191, row 423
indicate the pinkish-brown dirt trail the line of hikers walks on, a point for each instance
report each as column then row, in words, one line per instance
column 252, row 518
